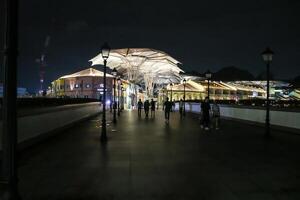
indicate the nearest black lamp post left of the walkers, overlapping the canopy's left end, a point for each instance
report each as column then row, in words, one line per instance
column 105, row 50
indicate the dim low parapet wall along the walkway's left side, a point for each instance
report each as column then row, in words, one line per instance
column 40, row 122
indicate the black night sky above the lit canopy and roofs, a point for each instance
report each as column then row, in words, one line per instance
column 201, row 34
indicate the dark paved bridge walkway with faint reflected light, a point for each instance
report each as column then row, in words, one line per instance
column 147, row 159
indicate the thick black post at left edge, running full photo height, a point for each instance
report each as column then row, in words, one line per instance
column 9, row 172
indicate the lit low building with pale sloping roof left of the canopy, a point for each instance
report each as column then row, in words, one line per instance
column 88, row 83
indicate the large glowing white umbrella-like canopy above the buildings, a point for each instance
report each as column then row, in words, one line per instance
column 142, row 66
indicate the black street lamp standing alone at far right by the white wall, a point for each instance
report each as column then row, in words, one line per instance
column 267, row 56
